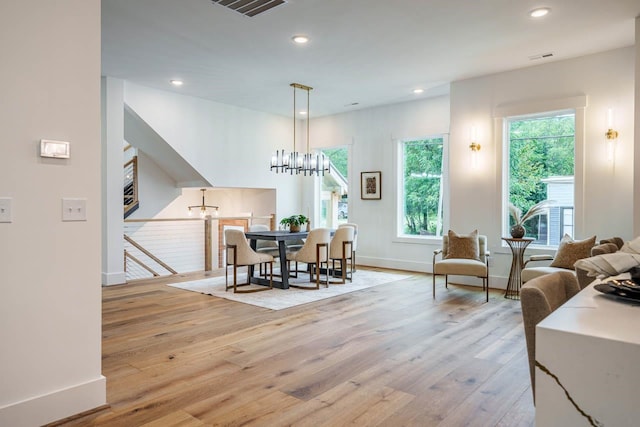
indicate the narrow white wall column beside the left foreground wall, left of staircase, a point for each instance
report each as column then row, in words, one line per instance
column 112, row 101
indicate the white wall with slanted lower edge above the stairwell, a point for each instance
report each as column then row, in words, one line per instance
column 228, row 145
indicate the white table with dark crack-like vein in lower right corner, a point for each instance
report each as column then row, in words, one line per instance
column 588, row 363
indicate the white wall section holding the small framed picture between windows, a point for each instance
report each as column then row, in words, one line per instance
column 372, row 134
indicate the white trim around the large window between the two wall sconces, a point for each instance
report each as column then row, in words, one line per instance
column 503, row 111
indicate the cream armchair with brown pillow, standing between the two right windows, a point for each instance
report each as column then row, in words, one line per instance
column 462, row 255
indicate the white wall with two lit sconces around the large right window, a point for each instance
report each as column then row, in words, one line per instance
column 606, row 198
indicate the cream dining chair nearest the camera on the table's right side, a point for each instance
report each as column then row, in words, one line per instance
column 314, row 253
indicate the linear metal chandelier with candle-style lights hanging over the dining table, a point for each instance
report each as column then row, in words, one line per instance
column 294, row 162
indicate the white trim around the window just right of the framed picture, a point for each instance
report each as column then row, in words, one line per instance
column 397, row 152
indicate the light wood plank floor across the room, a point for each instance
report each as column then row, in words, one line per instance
column 385, row 356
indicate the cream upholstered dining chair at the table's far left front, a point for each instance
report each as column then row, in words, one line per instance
column 239, row 254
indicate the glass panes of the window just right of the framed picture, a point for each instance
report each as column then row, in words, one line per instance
column 421, row 188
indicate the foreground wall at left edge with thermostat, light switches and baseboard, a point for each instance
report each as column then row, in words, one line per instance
column 50, row 307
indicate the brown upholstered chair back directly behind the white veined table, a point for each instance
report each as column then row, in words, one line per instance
column 539, row 297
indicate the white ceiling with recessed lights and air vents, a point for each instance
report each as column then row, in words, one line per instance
column 370, row 52
